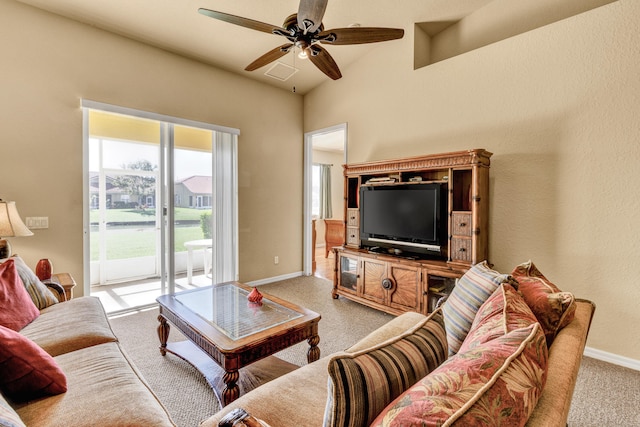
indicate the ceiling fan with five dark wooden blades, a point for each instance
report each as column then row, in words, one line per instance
column 305, row 31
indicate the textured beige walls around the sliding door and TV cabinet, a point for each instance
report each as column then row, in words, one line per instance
column 558, row 106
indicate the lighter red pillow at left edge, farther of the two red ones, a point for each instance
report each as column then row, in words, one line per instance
column 17, row 309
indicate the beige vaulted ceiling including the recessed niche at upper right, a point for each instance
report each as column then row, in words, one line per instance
column 437, row 29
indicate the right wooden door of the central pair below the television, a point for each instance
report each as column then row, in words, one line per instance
column 407, row 290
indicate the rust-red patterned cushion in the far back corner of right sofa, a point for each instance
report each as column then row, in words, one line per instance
column 553, row 308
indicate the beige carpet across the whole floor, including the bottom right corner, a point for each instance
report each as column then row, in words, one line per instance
column 605, row 394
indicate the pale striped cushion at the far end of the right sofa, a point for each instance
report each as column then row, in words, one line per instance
column 470, row 292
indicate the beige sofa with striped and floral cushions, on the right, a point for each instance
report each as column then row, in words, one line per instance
column 515, row 362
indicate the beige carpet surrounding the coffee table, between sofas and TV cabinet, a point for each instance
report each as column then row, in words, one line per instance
column 185, row 392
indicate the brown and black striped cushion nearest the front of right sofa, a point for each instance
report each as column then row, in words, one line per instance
column 362, row 384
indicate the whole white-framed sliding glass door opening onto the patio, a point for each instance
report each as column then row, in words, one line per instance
column 158, row 209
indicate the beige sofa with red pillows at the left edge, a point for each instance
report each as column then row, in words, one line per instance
column 60, row 362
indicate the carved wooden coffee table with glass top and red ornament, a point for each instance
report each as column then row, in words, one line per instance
column 222, row 324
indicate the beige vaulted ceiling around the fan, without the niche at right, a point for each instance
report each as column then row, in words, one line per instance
column 176, row 26
